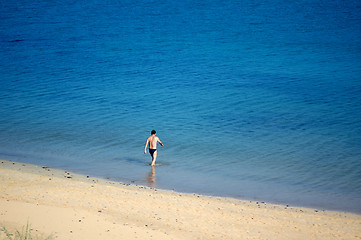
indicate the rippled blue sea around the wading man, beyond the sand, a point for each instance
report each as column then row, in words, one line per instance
column 252, row 99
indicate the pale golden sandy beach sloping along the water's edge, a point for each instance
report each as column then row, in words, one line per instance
column 71, row 206
